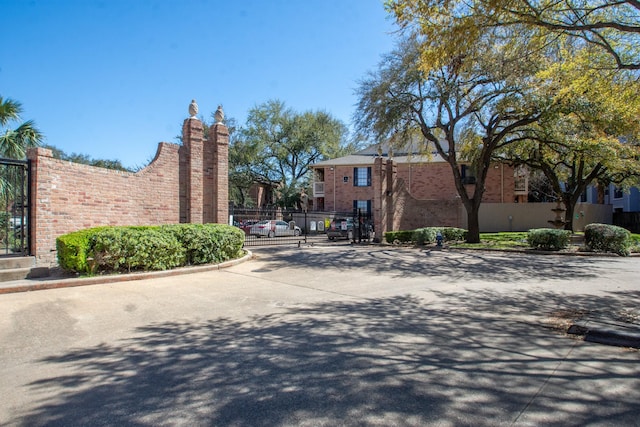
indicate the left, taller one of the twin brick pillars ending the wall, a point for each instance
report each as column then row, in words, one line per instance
column 192, row 158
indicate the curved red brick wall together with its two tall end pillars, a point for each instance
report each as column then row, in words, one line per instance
column 186, row 183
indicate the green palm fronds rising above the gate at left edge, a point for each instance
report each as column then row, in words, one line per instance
column 15, row 141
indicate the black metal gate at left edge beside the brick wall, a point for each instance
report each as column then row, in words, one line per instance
column 15, row 185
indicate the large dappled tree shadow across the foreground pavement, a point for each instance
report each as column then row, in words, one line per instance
column 389, row 361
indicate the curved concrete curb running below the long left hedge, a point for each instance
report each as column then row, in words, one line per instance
column 41, row 284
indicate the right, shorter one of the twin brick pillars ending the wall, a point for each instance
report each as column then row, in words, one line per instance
column 220, row 141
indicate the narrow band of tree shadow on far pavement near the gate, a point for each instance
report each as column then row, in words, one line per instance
column 452, row 266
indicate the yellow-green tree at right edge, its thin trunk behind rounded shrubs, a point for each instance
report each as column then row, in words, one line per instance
column 591, row 136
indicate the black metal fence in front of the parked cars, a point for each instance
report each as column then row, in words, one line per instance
column 293, row 227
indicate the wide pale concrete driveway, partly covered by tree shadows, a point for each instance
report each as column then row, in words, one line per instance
column 327, row 335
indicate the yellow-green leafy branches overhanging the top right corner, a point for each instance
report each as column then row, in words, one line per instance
column 454, row 26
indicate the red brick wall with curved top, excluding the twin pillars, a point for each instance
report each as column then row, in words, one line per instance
column 69, row 196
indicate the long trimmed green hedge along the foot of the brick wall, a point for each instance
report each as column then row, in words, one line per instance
column 112, row 249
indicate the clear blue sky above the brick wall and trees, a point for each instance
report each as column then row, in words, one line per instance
column 112, row 78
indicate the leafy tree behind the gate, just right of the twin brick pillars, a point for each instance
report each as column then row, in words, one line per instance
column 277, row 145
